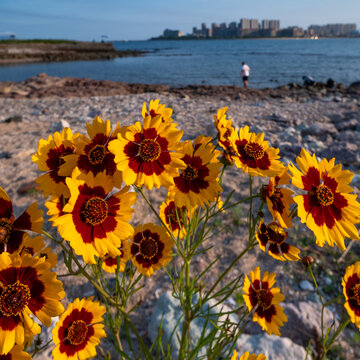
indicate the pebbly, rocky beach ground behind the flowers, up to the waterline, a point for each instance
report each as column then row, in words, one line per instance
column 323, row 120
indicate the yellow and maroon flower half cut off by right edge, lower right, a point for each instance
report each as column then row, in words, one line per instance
column 351, row 290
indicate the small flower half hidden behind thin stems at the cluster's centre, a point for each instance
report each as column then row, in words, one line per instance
column 175, row 218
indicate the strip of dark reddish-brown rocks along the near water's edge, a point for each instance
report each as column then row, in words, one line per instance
column 43, row 86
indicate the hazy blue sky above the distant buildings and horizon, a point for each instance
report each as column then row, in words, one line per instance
column 142, row 19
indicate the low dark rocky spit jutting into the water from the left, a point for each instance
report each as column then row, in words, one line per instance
column 27, row 52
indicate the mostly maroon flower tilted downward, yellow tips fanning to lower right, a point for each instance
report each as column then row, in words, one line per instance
column 272, row 239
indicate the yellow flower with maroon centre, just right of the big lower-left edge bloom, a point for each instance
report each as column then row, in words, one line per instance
column 79, row 330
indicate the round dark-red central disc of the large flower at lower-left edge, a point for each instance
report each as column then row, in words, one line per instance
column 14, row 298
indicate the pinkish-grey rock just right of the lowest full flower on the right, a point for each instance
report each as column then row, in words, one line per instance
column 303, row 319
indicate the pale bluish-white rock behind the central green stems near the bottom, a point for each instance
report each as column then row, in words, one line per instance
column 168, row 310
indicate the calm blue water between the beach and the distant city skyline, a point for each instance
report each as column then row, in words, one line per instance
column 215, row 62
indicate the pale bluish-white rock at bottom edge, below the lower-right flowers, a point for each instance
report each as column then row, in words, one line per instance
column 273, row 347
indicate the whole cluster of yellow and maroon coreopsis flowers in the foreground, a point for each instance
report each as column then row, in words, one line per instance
column 91, row 183
